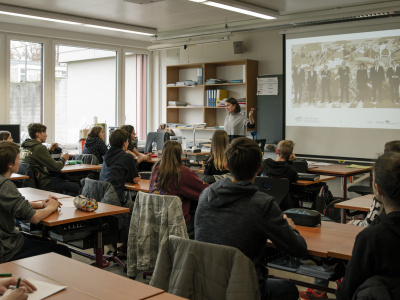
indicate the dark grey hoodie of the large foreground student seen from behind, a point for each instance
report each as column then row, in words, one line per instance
column 238, row 215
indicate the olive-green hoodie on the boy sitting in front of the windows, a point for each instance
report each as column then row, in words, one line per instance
column 38, row 156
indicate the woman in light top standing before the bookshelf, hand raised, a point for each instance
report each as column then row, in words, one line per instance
column 235, row 123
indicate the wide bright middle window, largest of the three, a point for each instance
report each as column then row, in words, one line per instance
column 85, row 90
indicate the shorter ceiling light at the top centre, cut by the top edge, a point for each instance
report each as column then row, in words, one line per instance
column 242, row 7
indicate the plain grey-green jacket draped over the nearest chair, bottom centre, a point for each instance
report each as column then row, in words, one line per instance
column 199, row 270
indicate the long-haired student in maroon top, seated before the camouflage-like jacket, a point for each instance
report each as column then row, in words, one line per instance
column 170, row 177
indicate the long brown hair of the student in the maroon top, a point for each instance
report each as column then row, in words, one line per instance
column 169, row 166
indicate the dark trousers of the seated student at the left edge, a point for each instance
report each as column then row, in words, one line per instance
column 34, row 245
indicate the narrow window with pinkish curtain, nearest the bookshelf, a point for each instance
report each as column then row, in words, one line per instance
column 136, row 92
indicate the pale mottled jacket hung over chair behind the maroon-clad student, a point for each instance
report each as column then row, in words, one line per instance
column 154, row 218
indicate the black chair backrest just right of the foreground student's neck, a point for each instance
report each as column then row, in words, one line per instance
column 275, row 187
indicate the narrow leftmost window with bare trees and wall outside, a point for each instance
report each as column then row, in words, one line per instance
column 26, row 84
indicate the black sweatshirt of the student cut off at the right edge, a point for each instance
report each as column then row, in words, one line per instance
column 375, row 252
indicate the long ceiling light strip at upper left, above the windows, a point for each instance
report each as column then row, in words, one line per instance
column 75, row 20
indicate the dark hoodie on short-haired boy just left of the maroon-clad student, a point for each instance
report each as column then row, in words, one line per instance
column 118, row 168
